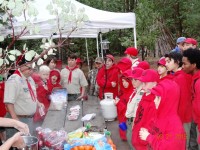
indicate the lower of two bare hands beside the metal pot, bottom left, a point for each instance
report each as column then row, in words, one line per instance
column 18, row 140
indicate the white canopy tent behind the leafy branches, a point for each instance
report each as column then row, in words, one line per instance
column 99, row 21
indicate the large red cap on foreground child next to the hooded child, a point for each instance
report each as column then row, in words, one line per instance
column 149, row 75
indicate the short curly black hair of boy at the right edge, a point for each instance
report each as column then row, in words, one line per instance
column 193, row 56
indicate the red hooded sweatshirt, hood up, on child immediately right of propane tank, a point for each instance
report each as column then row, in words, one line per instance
column 122, row 105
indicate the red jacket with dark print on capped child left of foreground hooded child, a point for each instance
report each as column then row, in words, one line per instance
column 144, row 113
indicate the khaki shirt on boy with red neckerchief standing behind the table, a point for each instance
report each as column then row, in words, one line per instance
column 78, row 80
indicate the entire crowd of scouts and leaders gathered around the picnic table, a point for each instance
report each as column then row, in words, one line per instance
column 160, row 107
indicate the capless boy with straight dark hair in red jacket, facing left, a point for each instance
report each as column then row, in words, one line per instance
column 174, row 64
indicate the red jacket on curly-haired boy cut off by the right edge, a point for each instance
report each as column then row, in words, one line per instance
column 196, row 98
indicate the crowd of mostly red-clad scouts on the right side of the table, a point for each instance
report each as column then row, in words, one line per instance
column 159, row 106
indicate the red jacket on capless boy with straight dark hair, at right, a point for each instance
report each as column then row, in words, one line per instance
column 185, row 100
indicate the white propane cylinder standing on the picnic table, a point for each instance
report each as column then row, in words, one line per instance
column 109, row 110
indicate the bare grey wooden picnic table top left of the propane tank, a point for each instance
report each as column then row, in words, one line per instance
column 57, row 120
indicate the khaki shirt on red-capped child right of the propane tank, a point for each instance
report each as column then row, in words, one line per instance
column 132, row 104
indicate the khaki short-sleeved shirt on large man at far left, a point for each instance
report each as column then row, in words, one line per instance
column 17, row 93
